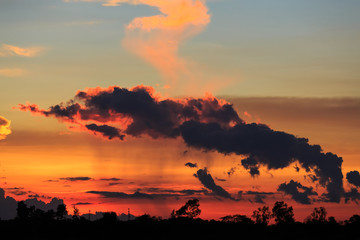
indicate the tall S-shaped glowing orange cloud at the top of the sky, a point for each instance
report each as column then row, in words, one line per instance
column 157, row 39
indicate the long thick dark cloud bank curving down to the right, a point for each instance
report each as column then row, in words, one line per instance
column 273, row 149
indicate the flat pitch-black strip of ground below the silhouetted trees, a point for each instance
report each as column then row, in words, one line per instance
column 182, row 228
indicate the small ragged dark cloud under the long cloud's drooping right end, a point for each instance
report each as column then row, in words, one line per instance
column 297, row 191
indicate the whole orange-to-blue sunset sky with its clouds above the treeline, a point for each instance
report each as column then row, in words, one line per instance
column 144, row 104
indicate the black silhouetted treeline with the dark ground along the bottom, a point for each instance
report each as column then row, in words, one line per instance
column 32, row 223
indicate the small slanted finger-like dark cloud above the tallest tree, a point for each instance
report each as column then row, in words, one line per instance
column 207, row 180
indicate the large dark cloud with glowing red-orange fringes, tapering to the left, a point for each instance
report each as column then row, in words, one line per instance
column 149, row 115
